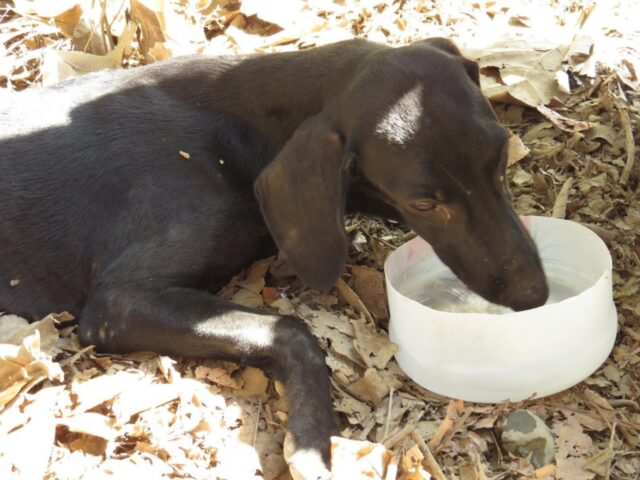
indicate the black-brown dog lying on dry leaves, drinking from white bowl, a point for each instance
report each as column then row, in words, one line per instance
column 101, row 215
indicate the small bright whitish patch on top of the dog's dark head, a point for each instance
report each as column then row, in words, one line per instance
column 402, row 121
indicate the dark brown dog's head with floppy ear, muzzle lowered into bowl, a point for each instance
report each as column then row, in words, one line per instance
column 413, row 135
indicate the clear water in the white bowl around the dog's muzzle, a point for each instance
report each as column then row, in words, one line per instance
column 439, row 289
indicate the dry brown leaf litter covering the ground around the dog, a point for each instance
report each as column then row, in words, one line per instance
column 563, row 78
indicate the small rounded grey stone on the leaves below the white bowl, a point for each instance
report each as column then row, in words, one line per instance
column 526, row 435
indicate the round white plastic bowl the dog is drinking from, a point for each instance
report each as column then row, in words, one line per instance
column 484, row 357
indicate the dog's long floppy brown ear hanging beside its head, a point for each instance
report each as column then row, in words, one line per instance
column 302, row 195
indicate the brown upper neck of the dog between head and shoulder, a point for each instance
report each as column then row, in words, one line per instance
column 285, row 88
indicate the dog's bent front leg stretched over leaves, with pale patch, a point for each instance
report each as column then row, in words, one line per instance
column 193, row 323
